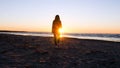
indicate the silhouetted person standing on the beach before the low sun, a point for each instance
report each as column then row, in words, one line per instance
column 55, row 29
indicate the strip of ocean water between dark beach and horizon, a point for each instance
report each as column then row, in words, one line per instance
column 106, row 37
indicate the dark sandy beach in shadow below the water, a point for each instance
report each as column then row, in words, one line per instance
column 40, row 52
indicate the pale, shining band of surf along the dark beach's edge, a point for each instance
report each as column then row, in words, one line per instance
column 111, row 39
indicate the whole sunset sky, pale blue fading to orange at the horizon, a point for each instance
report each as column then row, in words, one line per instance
column 77, row 16
